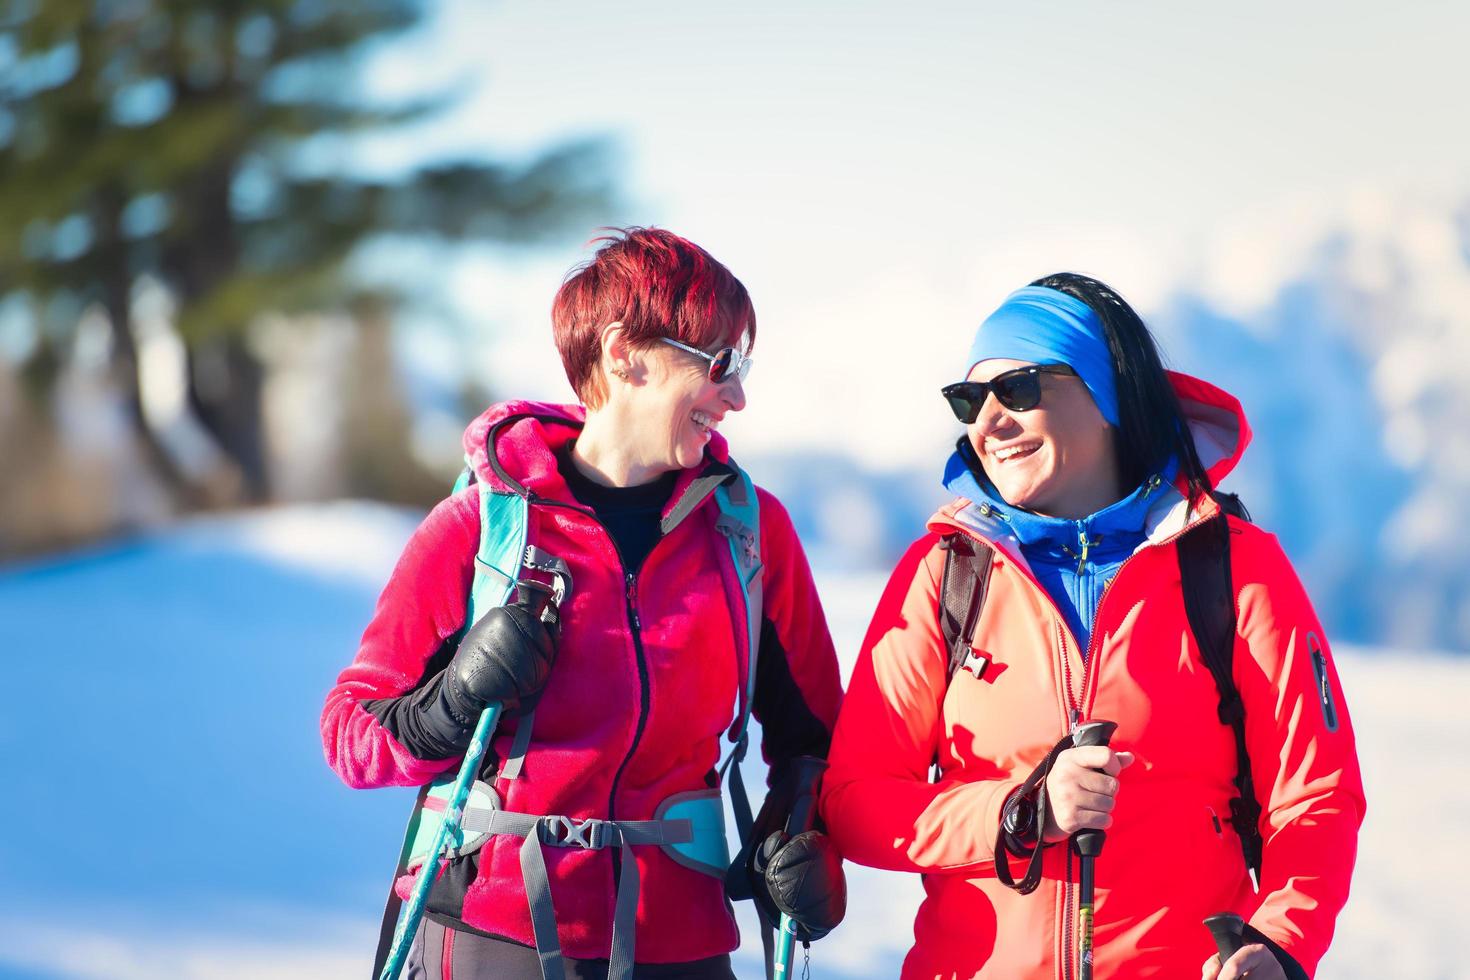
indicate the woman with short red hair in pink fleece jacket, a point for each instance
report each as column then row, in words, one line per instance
column 595, row 841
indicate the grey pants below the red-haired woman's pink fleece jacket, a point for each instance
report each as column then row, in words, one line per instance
column 446, row 954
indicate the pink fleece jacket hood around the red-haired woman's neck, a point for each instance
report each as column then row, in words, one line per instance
column 514, row 447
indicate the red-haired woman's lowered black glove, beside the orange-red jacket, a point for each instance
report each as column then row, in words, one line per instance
column 805, row 881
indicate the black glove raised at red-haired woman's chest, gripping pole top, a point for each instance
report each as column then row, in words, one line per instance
column 505, row 657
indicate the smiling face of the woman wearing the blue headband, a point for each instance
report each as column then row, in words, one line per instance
column 1056, row 459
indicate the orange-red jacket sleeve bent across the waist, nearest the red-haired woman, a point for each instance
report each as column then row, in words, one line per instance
column 878, row 801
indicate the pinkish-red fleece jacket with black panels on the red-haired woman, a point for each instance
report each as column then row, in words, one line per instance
column 630, row 718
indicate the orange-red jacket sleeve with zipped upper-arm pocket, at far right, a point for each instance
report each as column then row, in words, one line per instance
column 1303, row 756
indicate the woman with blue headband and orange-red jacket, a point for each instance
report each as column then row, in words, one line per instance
column 1087, row 574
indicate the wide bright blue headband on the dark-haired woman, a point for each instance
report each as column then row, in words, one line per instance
column 1049, row 327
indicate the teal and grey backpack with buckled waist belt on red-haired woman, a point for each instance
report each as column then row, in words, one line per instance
column 505, row 552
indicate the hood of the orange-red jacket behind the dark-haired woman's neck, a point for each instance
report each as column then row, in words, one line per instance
column 1221, row 434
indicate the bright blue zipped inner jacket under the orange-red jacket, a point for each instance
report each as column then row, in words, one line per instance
column 1074, row 561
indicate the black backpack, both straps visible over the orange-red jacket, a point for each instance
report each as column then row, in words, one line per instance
column 1205, row 569
